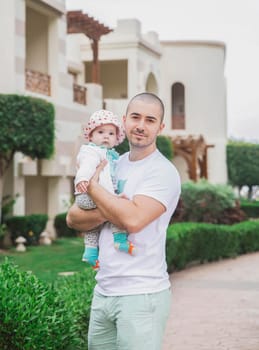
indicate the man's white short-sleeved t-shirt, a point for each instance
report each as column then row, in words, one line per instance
column 123, row 274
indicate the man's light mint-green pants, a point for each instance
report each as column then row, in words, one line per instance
column 135, row 322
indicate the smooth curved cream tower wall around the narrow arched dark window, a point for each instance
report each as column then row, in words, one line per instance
column 199, row 66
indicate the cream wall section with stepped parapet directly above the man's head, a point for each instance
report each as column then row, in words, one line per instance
column 127, row 42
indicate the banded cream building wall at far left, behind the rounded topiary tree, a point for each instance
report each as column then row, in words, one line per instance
column 55, row 174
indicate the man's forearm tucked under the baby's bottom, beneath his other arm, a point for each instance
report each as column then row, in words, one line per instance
column 84, row 220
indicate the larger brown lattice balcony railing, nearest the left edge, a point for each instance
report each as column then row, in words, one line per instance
column 38, row 82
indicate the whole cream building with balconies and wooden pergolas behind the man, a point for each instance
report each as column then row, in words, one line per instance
column 78, row 64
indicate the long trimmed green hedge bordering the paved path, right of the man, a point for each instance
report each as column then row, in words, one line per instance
column 189, row 242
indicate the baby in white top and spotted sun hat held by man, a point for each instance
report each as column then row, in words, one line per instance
column 102, row 133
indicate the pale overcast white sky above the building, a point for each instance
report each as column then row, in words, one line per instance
column 234, row 22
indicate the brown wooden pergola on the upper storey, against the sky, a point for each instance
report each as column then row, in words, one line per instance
column 78, row 22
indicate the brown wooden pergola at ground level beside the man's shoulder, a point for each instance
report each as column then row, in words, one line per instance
column 194, row 150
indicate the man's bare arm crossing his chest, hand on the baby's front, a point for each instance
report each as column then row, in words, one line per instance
column 130, row 215
